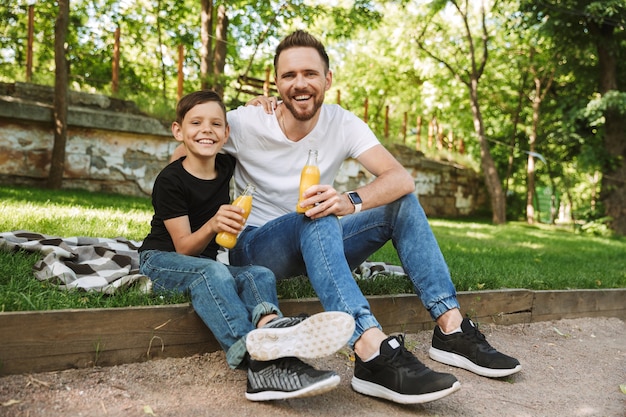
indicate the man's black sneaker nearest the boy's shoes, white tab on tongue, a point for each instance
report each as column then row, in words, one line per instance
column 399, row 376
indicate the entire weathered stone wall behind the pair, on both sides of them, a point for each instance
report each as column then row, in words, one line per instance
column 112, row 147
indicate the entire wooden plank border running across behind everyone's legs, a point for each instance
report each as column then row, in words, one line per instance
column 63, row 339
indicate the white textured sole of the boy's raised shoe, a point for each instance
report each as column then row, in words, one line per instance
column 320, row 335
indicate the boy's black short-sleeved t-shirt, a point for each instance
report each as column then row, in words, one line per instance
column 178, row 193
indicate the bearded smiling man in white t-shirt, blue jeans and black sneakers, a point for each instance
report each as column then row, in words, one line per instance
column 342, row 230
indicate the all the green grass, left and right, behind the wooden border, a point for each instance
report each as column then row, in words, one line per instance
column 480, row 256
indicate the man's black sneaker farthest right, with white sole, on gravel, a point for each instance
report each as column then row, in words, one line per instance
column 470, row 350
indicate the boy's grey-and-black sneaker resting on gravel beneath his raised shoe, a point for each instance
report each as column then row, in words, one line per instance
column 287, row 378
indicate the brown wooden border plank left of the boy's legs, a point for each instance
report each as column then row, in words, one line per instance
column 52, row 340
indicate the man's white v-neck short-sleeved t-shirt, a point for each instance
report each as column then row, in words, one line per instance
column 267, row 159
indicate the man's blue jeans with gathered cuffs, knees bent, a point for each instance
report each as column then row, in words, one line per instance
column 328, row 249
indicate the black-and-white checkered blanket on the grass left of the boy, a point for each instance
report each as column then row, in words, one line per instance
column 87, row 263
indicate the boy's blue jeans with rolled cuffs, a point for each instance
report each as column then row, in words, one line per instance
column 230, row 300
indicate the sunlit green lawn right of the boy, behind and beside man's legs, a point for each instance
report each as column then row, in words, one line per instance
column 482, row 256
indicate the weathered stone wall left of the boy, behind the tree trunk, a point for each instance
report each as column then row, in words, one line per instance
column 111, row 146
